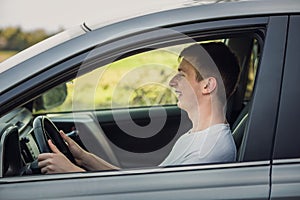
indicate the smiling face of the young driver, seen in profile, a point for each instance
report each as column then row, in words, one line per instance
column 187, row 88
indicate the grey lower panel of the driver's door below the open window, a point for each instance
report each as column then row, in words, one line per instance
column 227, row 181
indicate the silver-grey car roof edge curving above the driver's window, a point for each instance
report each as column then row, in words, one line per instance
column 63, row 45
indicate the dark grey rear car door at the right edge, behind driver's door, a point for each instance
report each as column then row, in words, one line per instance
column 286, row 157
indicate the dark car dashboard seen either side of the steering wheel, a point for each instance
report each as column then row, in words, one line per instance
column 18, row 143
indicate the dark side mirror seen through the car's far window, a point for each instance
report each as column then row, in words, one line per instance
column 51, row 99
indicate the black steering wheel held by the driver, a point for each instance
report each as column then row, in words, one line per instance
column 44, row 129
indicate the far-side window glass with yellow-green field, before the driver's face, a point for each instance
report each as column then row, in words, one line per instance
column 138, row 80
